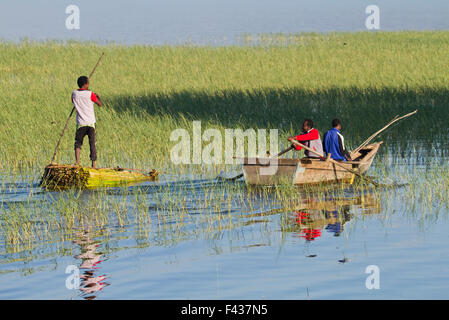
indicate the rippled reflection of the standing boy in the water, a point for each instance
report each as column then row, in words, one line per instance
column 90, row 281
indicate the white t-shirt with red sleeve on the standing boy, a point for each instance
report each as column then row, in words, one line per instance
column 83, row 100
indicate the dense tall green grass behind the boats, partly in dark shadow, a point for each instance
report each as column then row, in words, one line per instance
column 363, row 78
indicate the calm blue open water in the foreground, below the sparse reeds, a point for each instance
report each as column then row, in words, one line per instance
column 316, row 249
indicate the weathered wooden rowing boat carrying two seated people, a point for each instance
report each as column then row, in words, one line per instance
column 264, row 171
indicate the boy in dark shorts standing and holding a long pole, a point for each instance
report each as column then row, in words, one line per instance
column 83, row 100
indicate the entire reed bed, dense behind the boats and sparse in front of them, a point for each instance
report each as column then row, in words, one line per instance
column 363, row 78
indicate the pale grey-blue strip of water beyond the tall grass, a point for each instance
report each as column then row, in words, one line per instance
column 209, row 21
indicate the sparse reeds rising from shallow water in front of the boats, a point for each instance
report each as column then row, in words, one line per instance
column 167, row 214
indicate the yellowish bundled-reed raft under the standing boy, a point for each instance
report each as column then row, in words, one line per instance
column 66, row 176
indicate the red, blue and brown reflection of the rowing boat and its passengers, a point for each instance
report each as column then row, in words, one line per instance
column 313, row 216
